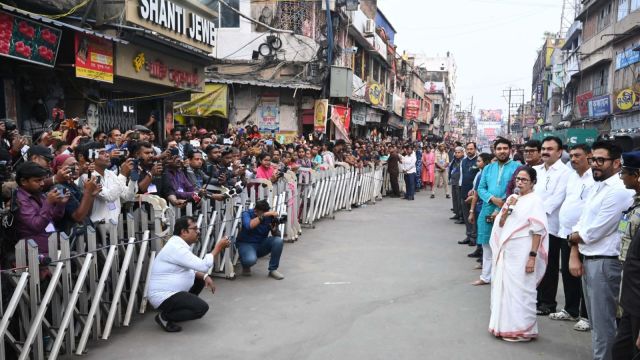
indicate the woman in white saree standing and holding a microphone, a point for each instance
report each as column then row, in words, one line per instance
column 519, row 242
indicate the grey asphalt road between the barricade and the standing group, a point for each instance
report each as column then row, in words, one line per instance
column 385, row 281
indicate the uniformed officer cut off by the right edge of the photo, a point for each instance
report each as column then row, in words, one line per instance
column 627, row 342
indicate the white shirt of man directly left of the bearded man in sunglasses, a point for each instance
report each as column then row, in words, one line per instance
column 578, row 190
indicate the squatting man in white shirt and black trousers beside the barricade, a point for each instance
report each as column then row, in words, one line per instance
column 178, row 276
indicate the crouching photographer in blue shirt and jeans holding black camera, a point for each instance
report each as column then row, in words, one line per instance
column 254, row 240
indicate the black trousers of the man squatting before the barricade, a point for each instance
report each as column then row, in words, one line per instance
column 184, row 306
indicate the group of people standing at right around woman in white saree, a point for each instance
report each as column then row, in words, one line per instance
column 540, row 210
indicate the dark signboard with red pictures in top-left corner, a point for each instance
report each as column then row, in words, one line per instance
column 27, row 40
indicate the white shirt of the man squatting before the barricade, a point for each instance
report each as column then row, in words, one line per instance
column 174, row 270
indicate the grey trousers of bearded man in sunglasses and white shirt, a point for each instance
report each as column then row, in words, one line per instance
column 601, row 286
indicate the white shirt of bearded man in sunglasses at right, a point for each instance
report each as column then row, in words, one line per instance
column 598, row 224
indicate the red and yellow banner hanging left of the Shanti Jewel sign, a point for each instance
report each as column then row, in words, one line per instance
column 94, row 58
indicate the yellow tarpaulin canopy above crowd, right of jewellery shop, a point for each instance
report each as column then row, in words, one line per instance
column 212, row 103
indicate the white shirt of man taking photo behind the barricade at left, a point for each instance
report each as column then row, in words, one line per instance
column 106, row 205
